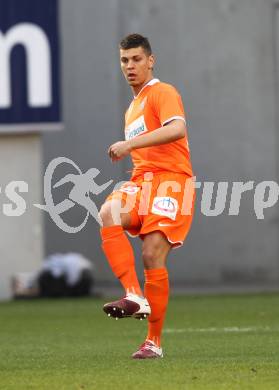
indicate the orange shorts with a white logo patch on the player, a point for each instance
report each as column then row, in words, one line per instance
column 158, row 202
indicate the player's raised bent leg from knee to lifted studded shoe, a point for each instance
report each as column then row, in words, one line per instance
column 120, row 256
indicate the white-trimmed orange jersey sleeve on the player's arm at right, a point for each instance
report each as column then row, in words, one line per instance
column 168, row 105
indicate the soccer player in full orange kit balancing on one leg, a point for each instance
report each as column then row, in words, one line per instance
column 152, row 204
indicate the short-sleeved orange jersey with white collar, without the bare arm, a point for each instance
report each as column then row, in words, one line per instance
column 156, row 105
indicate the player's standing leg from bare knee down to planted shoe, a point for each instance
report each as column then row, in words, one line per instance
column 155, row 251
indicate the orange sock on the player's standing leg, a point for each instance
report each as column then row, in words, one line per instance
column 156, row 291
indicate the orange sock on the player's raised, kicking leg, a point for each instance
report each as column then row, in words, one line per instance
column 120, row 256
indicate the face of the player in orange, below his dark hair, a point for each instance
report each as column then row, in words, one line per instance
column 136, row 66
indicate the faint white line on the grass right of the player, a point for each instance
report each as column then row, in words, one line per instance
column 233, row 329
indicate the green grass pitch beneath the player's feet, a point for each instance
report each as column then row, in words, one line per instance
column 211, row 342
